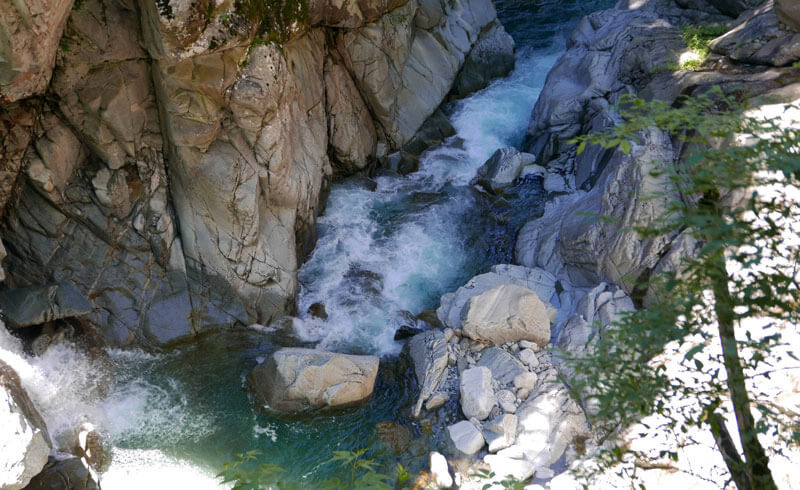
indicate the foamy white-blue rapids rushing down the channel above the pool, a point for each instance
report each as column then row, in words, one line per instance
column 400, row 247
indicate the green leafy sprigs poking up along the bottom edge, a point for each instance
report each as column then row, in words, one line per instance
column 357, row 472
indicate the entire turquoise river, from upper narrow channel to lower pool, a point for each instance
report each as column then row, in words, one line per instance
column 387, row 249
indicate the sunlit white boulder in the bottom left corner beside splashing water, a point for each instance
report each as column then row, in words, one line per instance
column 24, row 440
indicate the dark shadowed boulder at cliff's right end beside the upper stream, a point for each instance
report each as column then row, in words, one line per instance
column 491, row 57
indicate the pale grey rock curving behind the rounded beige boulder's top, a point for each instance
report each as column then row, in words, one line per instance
column 539, row 281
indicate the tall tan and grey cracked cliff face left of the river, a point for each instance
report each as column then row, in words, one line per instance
column 170, row 164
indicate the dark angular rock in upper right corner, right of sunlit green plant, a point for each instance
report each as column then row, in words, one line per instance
column 757, row 38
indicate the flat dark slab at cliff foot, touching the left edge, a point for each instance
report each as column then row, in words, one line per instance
column 40, row 304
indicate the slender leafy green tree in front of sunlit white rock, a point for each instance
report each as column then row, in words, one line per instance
column 745, row 272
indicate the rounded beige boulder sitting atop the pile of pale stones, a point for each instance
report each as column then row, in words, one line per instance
column 507, row 313
